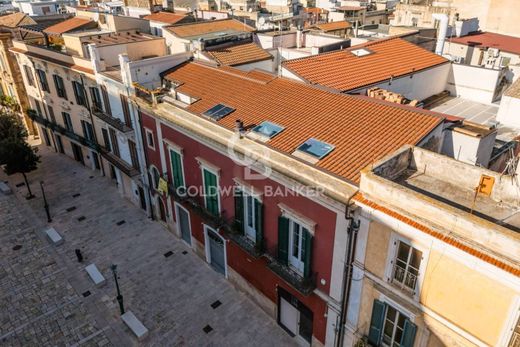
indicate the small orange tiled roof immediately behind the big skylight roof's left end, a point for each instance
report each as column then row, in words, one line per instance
column 239, row 54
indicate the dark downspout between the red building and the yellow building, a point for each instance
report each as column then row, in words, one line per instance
column 352, row 231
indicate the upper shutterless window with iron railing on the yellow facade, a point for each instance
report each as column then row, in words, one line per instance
column 406, row 266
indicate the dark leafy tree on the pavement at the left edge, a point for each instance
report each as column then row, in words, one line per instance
column 16, row 155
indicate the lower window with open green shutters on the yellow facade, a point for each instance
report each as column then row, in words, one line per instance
column 389, row 327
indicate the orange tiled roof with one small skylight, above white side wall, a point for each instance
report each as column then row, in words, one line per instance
column 344, row 71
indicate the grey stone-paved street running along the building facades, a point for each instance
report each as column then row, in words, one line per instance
column 42, row 287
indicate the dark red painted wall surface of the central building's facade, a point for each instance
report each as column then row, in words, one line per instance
column 255, row 270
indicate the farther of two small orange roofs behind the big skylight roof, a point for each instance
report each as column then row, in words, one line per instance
column 214, row 26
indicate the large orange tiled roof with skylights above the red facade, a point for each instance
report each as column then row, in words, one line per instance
column 362, row 131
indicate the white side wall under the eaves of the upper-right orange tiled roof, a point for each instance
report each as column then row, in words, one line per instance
column 423, row 84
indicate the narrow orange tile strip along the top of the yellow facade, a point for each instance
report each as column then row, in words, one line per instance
column 450, row 240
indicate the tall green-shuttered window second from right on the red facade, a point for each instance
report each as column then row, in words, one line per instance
column 249, row 215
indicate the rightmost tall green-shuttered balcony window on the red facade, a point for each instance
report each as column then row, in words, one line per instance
column 294, row 245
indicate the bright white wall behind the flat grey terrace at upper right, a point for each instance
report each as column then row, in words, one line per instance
column 473, row 82
